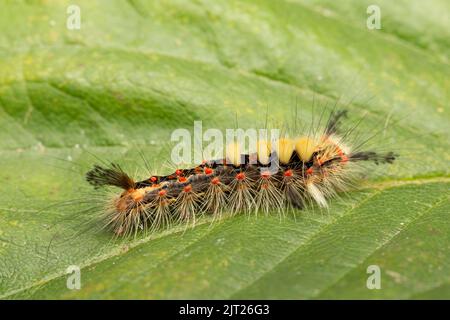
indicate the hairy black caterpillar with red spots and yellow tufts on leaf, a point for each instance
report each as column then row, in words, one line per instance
column 310, row 168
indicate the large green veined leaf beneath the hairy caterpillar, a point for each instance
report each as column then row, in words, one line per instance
column 137, row 70
